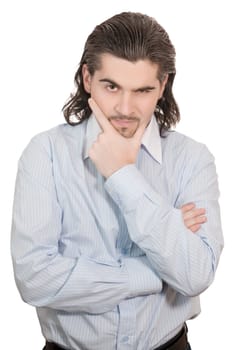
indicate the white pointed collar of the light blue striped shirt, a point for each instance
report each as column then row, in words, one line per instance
column 151, row 139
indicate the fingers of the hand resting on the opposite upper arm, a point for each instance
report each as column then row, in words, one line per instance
column 193, row 217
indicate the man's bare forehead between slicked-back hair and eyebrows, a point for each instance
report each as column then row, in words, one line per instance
column 127, row 73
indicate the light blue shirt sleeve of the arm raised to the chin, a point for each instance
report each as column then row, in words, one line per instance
column 184, row 260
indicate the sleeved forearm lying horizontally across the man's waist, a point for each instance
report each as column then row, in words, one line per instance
column 82, row 284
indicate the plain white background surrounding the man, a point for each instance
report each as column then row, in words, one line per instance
column 41, row 45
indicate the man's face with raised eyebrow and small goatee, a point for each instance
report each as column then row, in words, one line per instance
column 126, row 92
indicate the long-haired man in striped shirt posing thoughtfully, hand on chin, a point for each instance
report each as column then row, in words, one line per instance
column 116, row 226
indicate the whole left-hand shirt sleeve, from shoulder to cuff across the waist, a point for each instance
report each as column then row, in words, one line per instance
column 43, row 275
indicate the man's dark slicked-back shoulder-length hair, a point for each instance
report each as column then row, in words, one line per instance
column 131, row 36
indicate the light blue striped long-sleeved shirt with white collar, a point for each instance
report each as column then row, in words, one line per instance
column 109, row 264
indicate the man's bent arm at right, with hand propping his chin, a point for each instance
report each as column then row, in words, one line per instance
column 185, row 261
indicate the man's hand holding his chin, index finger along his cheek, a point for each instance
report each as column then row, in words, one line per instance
column 112, row 151
